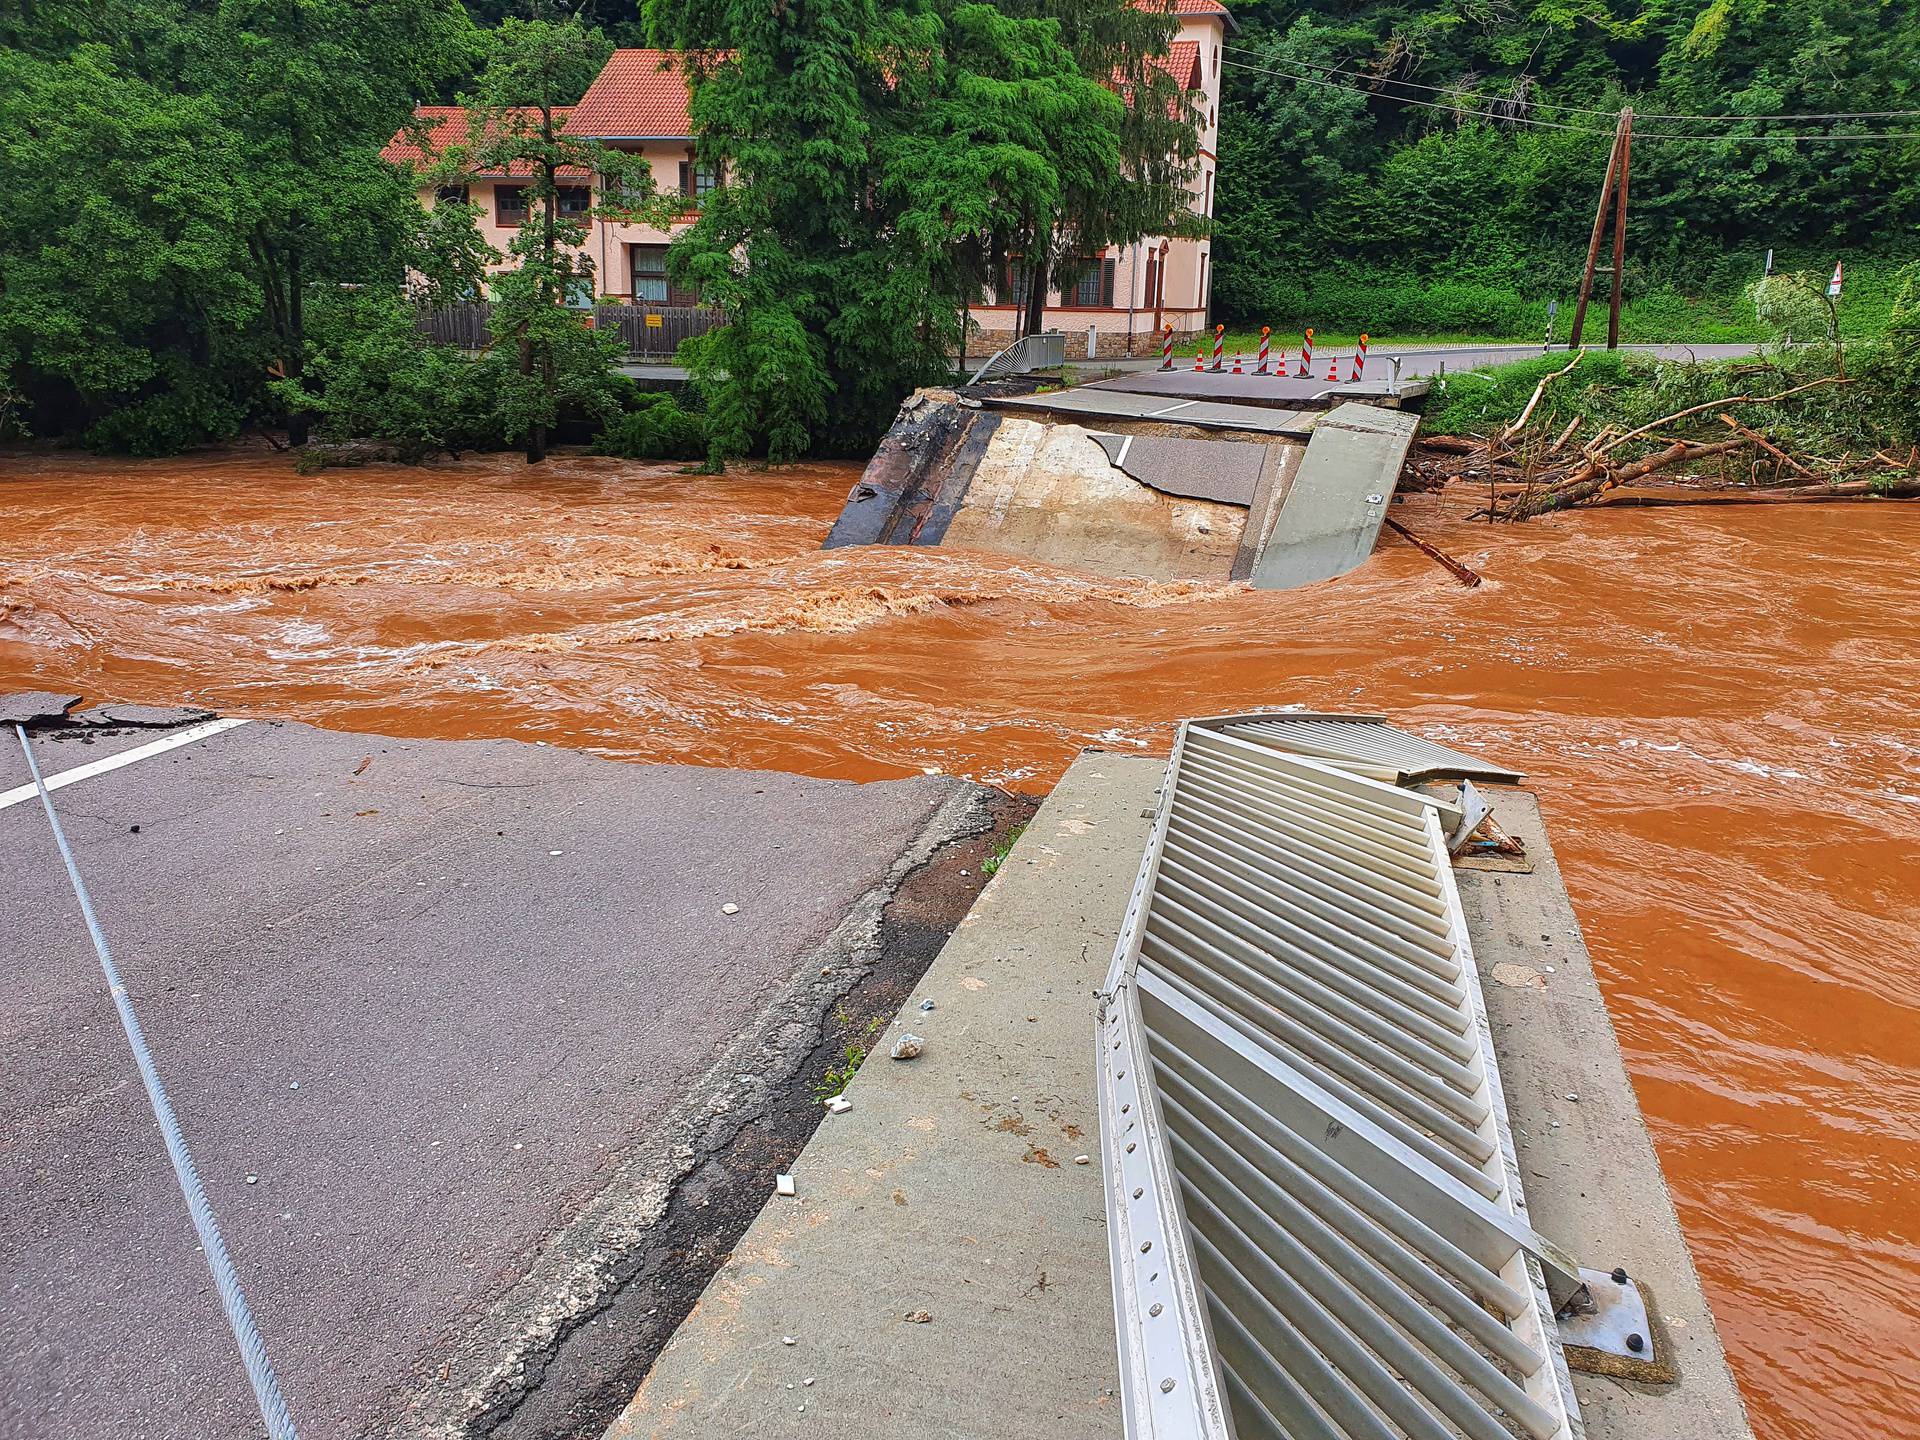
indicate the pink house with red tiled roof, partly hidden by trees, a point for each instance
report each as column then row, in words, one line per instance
column 640, row 105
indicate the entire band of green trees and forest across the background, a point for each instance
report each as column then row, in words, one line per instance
column 203, row 237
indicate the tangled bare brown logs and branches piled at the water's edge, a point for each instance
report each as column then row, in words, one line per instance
column 1529, row 473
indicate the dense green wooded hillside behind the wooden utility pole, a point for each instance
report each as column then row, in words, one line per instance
column 1435, row 166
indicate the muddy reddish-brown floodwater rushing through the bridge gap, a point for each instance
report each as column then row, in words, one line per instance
column 1717, row 709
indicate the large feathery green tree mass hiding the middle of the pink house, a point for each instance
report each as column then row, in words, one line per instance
column 878, row 160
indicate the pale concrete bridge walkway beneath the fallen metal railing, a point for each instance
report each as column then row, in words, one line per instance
column 1602, row 1197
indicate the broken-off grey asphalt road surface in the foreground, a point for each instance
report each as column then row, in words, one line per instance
column 420, row 1007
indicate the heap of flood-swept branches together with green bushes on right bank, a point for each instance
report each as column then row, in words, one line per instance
column 1788, row 425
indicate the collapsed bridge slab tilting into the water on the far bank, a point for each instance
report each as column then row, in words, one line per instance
column 1134, row 485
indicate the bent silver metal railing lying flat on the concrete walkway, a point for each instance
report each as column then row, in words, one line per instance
column 1314, row 1207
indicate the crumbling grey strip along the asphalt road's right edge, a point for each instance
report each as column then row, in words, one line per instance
column 583, row 1266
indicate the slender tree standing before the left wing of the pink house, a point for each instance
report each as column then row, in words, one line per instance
column 533, row 72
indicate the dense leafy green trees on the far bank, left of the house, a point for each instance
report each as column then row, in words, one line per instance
column 197, row 174
